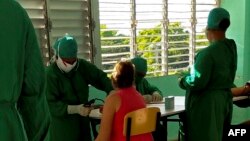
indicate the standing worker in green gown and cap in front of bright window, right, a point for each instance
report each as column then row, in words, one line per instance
column 208, row 94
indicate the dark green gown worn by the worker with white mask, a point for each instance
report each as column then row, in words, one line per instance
column 72, row 89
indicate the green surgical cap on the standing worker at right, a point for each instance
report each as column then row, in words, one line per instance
column 215, row 17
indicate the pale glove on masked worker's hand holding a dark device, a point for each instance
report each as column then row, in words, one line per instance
column 79, row 109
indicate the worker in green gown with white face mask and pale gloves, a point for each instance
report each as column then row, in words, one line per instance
column 68, row 80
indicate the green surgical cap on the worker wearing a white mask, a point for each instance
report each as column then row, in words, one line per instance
column 66, row 47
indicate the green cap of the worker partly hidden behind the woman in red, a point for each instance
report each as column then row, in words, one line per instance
column 140, row 64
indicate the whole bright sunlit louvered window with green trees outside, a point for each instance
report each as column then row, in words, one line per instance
column 165, row 32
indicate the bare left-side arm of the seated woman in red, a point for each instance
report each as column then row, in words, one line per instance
column 112, row 104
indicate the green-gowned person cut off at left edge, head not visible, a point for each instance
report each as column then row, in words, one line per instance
column 22, row 78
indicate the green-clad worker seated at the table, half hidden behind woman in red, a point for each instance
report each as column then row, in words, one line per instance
column 150, row 93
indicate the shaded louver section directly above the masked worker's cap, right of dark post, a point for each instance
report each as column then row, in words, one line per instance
column 72, row 17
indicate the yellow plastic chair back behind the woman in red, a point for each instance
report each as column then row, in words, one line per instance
column 141, row 121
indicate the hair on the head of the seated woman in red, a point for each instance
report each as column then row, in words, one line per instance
column 123, row 75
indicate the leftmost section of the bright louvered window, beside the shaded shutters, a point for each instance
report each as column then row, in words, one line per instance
column 115, row 32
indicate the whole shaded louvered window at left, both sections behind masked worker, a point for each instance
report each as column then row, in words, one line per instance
column 54, row 18
